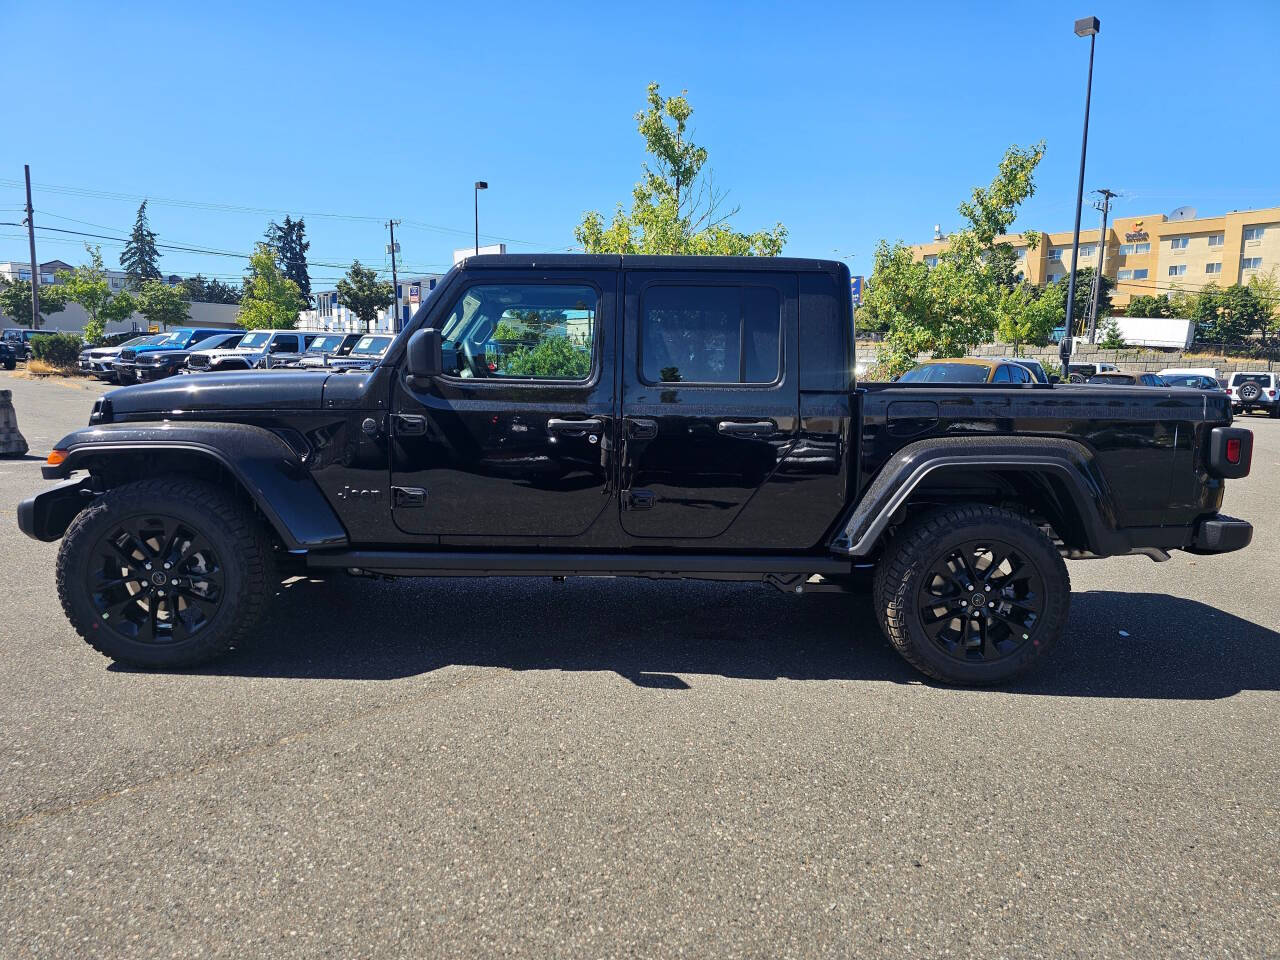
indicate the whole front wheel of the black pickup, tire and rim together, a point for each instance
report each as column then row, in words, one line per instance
column 166, row 573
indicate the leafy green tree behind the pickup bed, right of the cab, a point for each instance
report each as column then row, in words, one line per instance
column 957, row 305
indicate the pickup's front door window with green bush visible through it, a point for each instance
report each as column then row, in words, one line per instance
column 522, row 330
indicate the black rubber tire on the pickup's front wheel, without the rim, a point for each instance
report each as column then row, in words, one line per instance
column 237, row 537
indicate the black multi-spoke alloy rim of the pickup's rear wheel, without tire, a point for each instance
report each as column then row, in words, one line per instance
column 981, row 601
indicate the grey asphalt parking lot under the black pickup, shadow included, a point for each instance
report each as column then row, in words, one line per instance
column 632, row 769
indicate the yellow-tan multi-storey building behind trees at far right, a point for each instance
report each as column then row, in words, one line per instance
column 1155, row 254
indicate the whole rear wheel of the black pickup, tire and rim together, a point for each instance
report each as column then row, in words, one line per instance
column 972, row 595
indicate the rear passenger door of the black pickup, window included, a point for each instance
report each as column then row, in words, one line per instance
column 710, row 404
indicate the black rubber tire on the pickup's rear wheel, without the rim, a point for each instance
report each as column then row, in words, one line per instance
column 917, row 546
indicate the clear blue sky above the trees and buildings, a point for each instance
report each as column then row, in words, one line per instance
column 845, row 122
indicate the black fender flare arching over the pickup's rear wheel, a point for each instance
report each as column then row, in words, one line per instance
column 1069, row 464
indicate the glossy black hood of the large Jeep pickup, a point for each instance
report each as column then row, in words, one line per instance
column 237, row 391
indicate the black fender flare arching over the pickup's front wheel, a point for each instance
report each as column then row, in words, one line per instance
column 272, row 470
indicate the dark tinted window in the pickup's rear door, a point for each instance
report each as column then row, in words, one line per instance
column 711, row 335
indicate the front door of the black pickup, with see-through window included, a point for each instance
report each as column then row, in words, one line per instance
column 514, row 442
